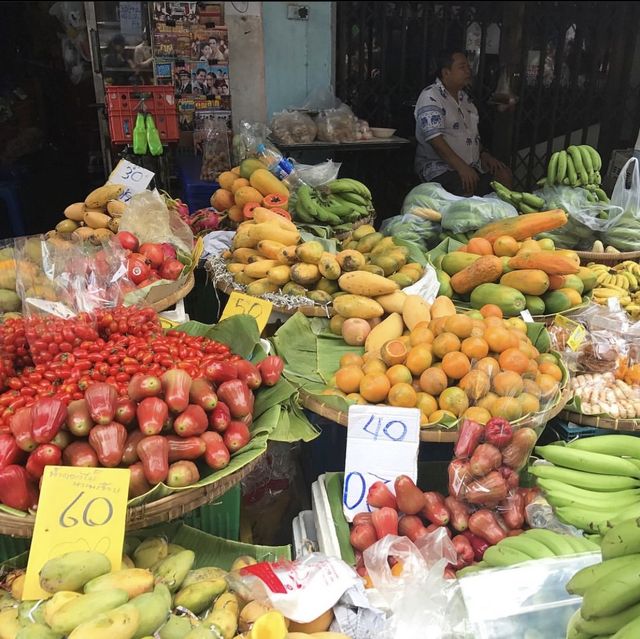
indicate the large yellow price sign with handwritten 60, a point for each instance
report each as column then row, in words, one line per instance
column 79, row 509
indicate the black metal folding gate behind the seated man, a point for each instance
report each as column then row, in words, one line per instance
column 567, row 62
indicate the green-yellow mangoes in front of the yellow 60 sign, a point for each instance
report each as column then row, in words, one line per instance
column 149, row 596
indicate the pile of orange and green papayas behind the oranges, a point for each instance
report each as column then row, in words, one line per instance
column 501, row 266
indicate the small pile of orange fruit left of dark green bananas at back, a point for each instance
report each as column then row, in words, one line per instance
column 246, row 187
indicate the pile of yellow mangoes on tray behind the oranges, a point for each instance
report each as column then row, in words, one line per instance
column 267, row 257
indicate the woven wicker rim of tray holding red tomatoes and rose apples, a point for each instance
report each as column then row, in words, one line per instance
column 155, row 512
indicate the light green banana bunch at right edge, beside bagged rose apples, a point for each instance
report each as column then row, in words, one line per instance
column 594, row 483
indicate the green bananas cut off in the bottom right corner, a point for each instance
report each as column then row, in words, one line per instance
column 611, row 589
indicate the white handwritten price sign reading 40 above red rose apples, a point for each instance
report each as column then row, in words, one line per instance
column 382, row 443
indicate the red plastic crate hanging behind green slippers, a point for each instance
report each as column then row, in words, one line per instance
column 124, row 102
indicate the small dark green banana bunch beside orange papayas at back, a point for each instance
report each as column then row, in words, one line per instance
column 342, row 201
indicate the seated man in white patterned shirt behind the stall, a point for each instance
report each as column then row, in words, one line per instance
column 449, row 150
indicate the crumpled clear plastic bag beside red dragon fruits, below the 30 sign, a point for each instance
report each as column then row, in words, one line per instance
column 149, row 219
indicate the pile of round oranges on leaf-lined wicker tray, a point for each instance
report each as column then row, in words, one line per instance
column 475, row 365
